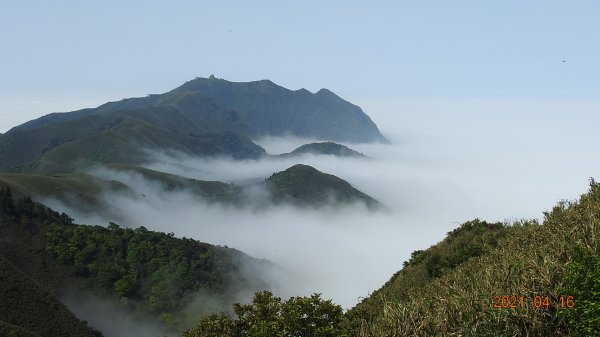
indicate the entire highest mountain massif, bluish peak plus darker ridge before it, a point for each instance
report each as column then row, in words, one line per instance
column 203, row 117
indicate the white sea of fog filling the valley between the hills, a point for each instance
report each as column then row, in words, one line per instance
column 479, row 160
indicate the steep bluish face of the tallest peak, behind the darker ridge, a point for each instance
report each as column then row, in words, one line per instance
column 273, row 110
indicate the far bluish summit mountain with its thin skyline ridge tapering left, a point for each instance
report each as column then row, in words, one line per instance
column 253, row 108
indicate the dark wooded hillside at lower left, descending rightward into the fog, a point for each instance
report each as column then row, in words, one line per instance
column 149, row 273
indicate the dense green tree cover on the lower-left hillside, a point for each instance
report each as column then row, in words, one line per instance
column 153, row 270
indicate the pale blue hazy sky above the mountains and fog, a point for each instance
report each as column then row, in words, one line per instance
column 63, row 55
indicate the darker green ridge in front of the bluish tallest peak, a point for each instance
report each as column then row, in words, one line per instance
column 120, row 137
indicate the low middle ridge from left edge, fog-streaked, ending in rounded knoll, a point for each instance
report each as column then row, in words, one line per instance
column 85, row 191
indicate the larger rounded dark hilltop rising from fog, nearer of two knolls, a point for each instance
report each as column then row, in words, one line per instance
column 305, row 185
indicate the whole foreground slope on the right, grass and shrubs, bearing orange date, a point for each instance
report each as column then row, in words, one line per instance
column 464, row 286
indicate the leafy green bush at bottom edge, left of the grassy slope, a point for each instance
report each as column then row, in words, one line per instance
column 268, row 316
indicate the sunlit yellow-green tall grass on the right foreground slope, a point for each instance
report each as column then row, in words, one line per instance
column 530, row 260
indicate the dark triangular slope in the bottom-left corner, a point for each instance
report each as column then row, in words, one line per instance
column 29, row 310
